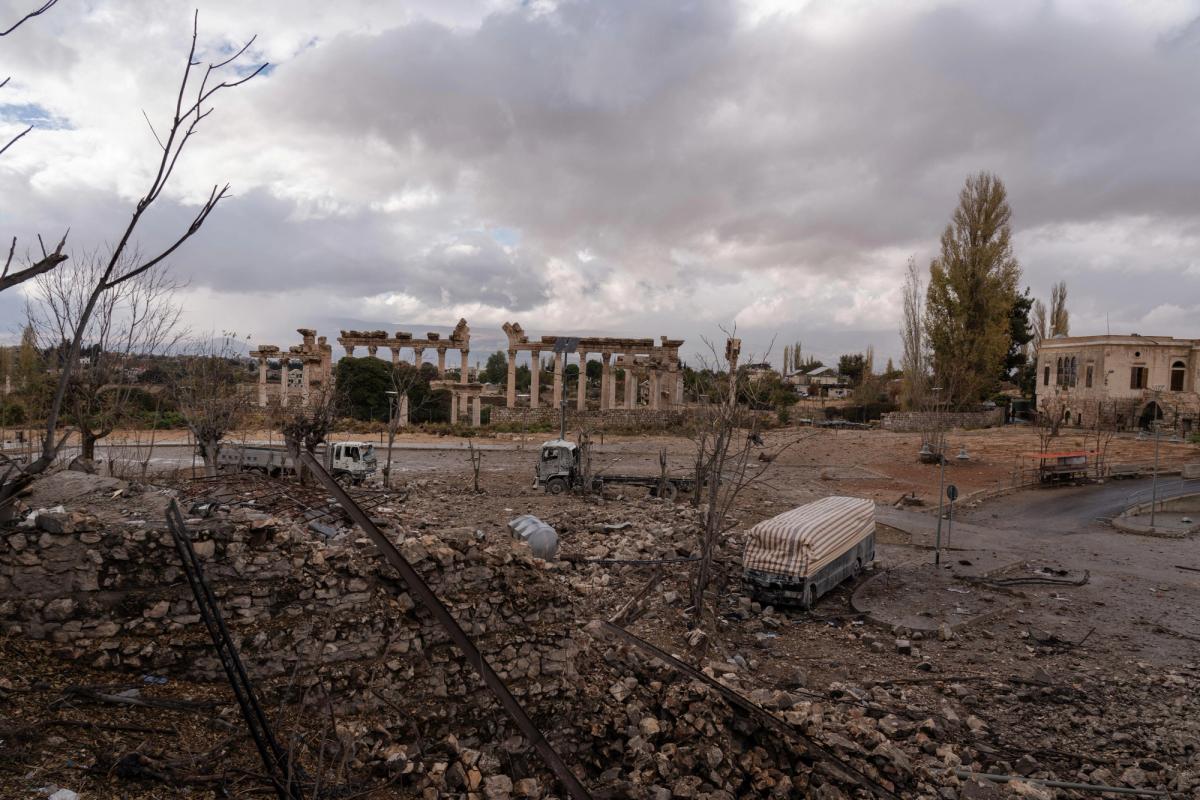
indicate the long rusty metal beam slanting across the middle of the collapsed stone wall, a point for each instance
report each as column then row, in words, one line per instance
column 427, row 598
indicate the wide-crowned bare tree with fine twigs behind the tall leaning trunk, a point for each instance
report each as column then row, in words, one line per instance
column 129, row 322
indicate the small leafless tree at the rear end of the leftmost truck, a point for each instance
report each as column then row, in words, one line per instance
column 212, row 395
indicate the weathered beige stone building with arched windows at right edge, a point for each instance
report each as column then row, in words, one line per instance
column 1125, row 381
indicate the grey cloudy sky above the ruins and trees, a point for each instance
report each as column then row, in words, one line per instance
column 613, row 167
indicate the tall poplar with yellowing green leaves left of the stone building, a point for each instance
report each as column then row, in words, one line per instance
column 973, row 287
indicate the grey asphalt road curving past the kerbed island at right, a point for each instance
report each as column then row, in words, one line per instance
column 1136, row 581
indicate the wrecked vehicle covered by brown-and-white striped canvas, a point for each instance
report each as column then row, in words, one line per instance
column 801, row 555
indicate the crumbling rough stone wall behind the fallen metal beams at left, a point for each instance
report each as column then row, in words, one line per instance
column 115, row 597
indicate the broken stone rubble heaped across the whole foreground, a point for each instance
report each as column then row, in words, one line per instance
column 326, row 627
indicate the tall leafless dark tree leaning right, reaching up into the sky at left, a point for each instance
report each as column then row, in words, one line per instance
column 189, row 112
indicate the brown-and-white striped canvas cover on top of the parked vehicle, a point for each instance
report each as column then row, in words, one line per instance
column 800, row 543
